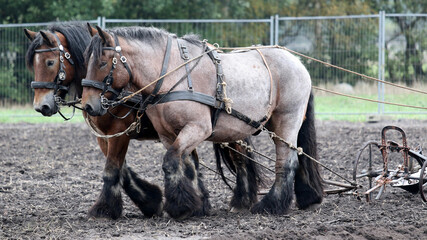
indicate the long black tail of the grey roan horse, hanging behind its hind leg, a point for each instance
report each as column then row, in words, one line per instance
column 308, row 181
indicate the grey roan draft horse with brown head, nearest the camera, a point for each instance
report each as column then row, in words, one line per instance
column 281, row 100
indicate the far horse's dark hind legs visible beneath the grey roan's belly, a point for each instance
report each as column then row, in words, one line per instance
column 248, row 174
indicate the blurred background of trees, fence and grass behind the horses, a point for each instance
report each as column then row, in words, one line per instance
column 383, row 39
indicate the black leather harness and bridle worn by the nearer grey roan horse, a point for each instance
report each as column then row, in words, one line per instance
column 216, row 102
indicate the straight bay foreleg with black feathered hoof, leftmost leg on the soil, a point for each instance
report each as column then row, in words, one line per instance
column 109, row 203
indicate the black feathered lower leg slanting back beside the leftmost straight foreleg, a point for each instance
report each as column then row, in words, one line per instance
column 146, row 196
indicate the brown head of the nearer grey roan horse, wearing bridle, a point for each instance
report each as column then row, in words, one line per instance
column 108, row 72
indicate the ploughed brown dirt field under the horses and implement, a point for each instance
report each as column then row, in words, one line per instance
column 50, row 174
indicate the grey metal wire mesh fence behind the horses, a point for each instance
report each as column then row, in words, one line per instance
column 391, row 47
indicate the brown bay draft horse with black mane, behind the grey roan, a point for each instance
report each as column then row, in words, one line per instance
column 59, row 49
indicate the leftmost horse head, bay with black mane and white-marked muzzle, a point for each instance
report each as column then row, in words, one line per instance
column 56, row 58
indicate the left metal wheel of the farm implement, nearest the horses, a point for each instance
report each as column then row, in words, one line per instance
column 367, row 167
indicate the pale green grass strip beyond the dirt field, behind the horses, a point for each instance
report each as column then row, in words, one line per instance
column 327, row 106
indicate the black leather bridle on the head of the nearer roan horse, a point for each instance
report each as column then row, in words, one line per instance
column 106, row 84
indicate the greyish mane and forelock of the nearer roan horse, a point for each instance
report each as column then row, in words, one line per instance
column 150, row 35
